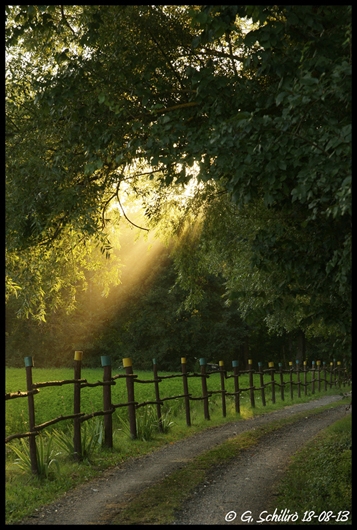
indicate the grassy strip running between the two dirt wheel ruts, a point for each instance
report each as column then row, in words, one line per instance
column 158, row 503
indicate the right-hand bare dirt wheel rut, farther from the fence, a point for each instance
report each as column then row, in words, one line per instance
column 243, row 491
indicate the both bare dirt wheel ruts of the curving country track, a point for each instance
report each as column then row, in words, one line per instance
column 247, row 485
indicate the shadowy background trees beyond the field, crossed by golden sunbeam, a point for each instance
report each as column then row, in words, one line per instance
column 139, row 319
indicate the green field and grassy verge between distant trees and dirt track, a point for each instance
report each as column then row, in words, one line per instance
column 24, row 493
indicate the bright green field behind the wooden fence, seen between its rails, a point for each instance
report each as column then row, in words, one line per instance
column 54, row 401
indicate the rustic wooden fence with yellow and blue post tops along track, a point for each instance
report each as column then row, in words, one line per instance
column 300, row 378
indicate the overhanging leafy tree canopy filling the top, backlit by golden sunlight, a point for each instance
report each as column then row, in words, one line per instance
column 251, row 102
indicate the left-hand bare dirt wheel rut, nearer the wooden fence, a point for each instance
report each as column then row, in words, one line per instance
column 94, row 502
